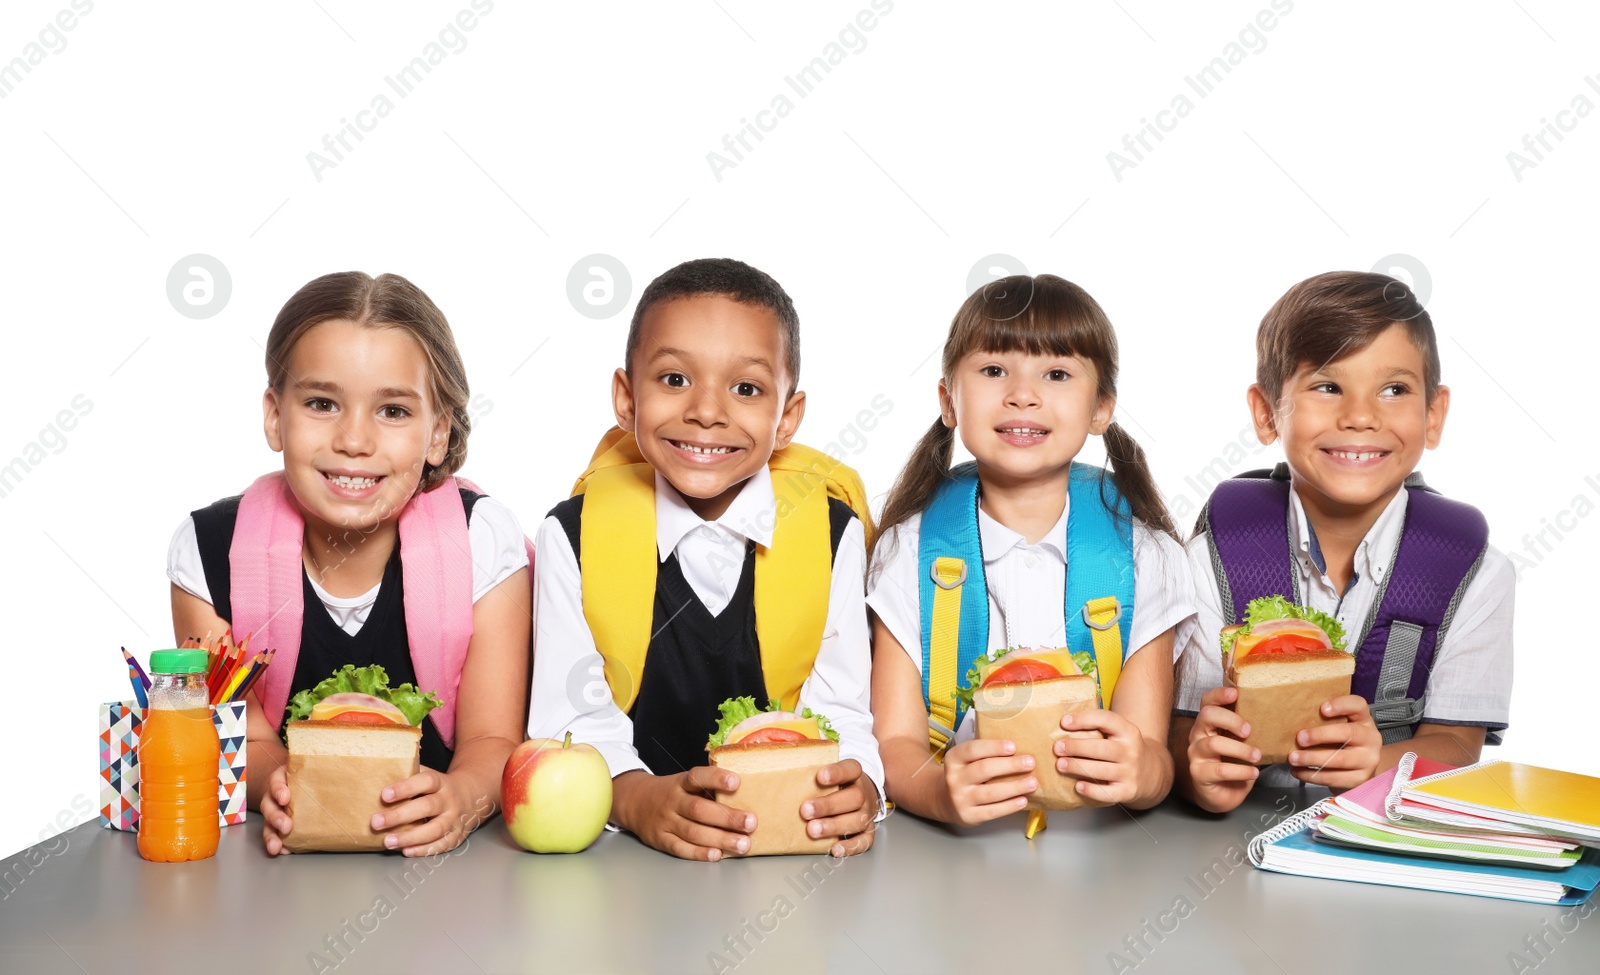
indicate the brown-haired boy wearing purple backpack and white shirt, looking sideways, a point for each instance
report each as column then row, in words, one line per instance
column 1348, row 380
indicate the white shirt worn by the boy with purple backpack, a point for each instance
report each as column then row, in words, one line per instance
column 1473, row 667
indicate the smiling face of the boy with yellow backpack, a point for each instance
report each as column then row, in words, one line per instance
column 708, row 396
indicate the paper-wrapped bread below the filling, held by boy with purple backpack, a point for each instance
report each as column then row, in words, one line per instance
column 1281, row 694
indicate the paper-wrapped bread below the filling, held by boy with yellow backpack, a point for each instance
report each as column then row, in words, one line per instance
column 775, row 780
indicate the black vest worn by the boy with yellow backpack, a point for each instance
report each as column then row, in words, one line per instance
column 695, row 660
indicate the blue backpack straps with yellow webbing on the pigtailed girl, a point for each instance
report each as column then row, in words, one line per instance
column 954, row 593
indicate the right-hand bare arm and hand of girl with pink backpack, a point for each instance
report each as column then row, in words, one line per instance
column 490, row 704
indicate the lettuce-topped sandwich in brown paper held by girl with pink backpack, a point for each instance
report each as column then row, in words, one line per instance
column 348, row 739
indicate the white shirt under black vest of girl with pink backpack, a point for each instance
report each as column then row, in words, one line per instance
column 498, row 552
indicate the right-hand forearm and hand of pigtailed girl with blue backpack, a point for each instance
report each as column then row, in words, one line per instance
column 1130, row 766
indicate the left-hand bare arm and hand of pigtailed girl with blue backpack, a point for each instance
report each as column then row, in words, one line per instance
column 958, row 792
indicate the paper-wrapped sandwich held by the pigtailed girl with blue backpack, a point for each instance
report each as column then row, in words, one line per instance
column 1022, row 696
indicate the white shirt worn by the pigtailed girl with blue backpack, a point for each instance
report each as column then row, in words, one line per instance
column 1028, row 588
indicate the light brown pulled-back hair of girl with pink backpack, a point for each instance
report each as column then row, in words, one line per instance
column 386, row 302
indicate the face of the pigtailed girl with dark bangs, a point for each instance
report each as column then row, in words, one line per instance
column 1023, row 417
